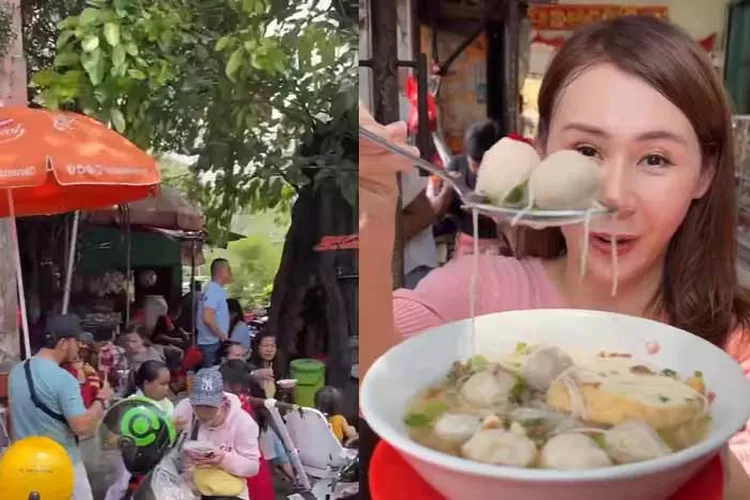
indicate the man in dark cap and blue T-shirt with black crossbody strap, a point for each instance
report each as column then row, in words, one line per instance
column 45, row 399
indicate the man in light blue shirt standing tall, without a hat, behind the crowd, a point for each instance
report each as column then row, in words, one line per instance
column 213, row 312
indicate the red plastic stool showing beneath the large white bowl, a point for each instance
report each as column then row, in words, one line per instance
column 391, row 478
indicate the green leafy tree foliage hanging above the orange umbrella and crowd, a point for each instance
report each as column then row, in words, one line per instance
column 239, row 86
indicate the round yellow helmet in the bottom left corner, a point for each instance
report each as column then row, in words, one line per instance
column 36, row 465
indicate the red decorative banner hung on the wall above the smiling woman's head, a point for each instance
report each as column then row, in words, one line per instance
column 569, row 17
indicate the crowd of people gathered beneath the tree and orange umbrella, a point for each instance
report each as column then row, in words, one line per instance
column 64, row 390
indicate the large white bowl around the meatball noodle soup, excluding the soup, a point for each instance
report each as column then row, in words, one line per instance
column 412, row 365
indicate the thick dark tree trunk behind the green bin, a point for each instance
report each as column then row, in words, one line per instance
column 318, row 212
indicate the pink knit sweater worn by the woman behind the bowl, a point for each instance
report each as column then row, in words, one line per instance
column 506, row 284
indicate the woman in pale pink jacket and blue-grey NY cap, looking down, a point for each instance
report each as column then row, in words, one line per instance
column 214, row 416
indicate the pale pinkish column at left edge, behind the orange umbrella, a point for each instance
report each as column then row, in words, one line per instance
column 12, row 92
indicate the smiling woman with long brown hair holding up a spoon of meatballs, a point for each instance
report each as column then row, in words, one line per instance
column 640, row 97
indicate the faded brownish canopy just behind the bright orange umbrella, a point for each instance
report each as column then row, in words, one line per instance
column 167, row 210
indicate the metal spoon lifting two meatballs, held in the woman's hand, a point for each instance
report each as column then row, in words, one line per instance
column 471, row 200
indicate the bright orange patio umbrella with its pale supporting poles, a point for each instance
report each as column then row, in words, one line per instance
column 55, row 162
